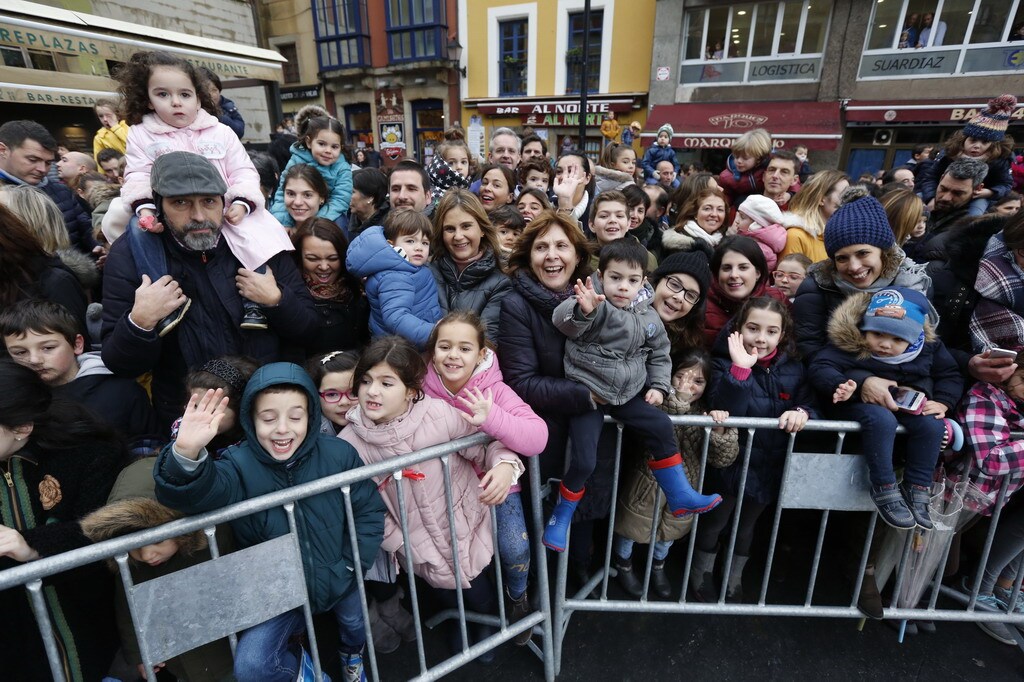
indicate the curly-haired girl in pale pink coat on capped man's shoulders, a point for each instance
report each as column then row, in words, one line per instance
column 169, row 109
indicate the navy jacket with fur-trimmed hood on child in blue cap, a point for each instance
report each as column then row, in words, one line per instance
column 934, row 372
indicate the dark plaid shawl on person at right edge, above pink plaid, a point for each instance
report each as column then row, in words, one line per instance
column 999, row 318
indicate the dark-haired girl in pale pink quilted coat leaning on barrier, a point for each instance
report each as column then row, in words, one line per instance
column 395, row 417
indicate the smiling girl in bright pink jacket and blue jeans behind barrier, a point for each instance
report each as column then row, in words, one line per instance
column 462, row 371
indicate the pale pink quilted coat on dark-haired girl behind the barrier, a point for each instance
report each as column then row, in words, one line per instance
column 432, row 422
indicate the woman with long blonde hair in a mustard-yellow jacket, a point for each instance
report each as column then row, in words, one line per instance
column 814, row 205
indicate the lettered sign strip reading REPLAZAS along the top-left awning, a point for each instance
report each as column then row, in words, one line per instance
column 97, row 47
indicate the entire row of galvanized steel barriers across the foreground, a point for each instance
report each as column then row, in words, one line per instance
column 165, row 612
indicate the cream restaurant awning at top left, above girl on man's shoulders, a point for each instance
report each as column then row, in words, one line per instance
column 83, row 45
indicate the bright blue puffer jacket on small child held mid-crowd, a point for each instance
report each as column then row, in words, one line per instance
column 403, row 296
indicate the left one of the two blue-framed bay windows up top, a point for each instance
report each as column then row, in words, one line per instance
column 343, row 41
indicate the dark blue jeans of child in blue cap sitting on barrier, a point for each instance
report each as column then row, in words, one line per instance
column 878, row 428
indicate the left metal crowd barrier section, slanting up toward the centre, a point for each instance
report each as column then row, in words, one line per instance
column 206, row 603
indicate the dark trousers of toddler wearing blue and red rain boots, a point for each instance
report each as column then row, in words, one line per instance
column 586, row 431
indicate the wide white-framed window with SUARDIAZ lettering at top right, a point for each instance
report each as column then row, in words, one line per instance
column 911, row 38
